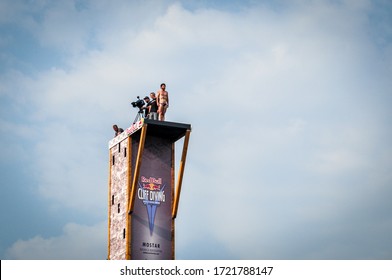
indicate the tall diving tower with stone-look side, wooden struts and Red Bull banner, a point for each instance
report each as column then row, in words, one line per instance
column 143, row 199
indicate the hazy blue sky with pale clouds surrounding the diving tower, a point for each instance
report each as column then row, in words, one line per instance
column 290, row 154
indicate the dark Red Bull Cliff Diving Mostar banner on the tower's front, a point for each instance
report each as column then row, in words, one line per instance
column 151, row 221
